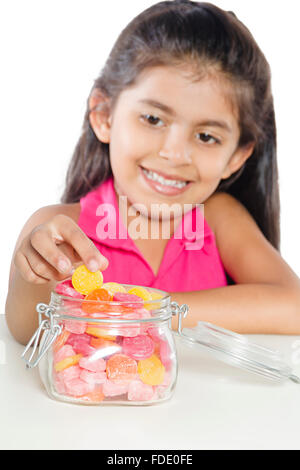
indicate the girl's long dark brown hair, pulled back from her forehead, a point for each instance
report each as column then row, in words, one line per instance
column 174, row 32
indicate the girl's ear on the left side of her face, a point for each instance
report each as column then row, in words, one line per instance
column 100, row 119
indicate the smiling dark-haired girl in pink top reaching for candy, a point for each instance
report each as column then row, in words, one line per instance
column 181, row 116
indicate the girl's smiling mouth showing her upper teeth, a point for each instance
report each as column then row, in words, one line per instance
column 170, row 187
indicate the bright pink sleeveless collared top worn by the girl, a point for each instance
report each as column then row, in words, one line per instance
column 191, row 260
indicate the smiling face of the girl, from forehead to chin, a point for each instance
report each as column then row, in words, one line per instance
column 172, row 140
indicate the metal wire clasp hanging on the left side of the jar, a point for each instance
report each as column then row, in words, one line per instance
column 52, row 331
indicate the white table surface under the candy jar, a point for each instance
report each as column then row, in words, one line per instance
column 215, row 406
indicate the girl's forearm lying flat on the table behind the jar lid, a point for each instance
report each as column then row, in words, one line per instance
column 244, row 308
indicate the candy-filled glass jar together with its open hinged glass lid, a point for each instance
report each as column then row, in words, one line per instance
column 107, row 352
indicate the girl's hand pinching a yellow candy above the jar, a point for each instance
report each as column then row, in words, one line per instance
column 52, row 249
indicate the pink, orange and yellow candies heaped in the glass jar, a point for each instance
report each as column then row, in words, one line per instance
column 94, row 360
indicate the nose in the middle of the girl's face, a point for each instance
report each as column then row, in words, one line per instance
column 176, row 149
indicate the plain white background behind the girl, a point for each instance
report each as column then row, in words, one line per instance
column 52, row 51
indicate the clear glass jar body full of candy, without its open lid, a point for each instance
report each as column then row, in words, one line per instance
column 106, row 352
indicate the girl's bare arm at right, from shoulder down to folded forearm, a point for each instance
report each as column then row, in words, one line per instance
column 266, row 297
